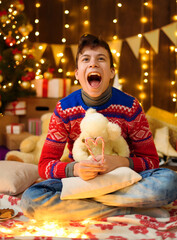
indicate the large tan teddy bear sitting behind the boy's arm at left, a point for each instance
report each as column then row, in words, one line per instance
column 31, row 147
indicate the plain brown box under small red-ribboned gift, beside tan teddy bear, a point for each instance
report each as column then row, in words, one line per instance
column 12, row 141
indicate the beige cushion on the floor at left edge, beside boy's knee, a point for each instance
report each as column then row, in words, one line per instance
column 15, row 177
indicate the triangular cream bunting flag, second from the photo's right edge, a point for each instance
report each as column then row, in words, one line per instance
column 153, row 39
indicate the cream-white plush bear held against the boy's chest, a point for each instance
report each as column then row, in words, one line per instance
column 98, row 137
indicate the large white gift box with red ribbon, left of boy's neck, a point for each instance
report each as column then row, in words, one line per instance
column 53, row 88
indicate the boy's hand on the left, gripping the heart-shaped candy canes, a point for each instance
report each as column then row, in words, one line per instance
column 88, row 169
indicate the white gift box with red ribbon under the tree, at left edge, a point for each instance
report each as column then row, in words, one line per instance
column 16, row 108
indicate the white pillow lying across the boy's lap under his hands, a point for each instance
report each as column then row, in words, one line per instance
column 76, row 188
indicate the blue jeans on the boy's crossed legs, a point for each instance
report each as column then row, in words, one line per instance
column 157, row 188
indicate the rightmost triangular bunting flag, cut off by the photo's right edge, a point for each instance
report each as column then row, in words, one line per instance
column 171, row 31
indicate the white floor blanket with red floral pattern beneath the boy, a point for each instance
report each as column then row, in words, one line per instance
column 118, row 227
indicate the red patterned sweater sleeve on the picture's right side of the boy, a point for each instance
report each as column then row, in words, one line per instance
column 143, row 150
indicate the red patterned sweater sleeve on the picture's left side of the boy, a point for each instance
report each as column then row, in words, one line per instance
column 50, row 165
